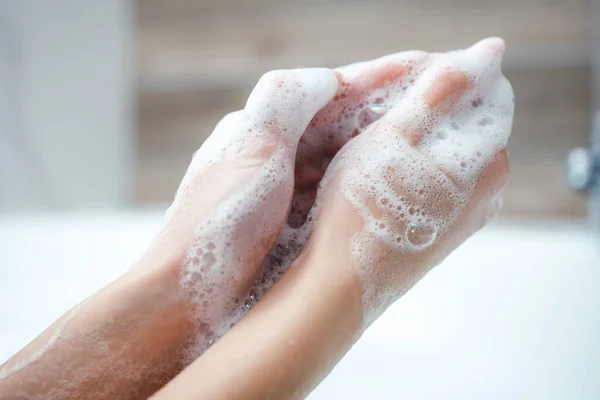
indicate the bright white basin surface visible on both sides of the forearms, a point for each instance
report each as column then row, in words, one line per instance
column 513, row 314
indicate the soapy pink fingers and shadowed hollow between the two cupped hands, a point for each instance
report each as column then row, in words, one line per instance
column 365, row 93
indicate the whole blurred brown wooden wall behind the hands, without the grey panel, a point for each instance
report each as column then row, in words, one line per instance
column 198, row 60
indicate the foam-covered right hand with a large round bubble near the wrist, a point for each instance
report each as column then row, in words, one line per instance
column 425, row 176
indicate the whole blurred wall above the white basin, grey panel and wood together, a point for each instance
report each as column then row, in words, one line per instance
column 102, row 104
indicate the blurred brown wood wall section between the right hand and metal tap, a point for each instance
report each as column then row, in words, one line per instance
column 552, row 116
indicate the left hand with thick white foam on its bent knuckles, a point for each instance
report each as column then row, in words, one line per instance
column 235, row 197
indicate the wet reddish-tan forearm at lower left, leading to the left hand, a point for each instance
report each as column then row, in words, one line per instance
column 123, row 342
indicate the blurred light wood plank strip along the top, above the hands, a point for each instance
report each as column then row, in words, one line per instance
column 231, row 43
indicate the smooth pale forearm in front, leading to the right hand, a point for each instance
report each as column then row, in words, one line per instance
column 290, row 340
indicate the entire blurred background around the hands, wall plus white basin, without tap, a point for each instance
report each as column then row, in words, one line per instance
column 103, row 103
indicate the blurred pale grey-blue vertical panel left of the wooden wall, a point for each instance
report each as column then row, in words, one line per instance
column 66, row 104
